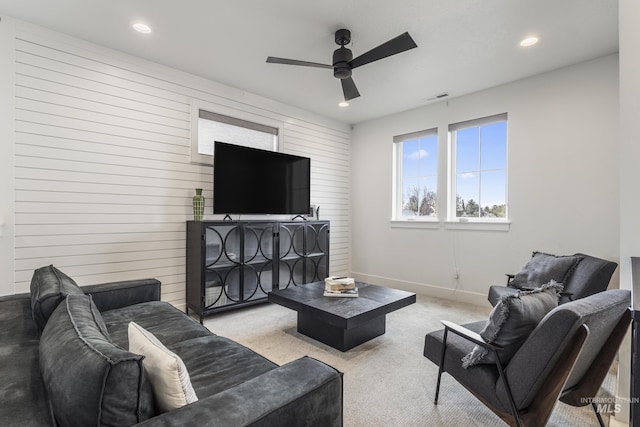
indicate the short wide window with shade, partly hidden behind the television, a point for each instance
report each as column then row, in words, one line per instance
column 217, row 127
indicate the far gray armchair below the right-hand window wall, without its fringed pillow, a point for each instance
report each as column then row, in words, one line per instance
column 590, row 276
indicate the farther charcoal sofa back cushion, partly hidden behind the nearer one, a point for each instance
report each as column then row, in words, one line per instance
column 49, row 286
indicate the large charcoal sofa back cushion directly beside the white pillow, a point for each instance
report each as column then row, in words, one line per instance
column 90, row 380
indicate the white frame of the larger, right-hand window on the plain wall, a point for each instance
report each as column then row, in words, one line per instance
column 452, row 172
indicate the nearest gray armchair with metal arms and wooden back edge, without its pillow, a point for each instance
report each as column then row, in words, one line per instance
column 566, row 357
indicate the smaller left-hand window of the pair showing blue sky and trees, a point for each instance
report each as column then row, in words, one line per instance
column 416, row 191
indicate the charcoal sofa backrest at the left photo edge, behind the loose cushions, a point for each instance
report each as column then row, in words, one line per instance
column 22, row 394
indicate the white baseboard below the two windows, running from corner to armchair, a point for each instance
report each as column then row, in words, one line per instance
column 424, row 289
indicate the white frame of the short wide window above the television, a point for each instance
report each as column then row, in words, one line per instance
column 231, row 116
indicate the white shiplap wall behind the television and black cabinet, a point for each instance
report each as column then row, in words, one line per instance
column 103, row 178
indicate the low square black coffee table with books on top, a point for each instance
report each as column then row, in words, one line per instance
column 342, row 323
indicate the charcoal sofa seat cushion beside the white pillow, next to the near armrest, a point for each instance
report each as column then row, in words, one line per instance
column 216, row 363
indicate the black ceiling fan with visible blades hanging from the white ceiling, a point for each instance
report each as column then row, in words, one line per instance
column 343, row 61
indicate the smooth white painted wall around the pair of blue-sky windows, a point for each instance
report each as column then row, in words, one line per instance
column 562, row 175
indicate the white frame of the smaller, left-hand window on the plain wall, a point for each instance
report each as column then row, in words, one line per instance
column 397, row 193
